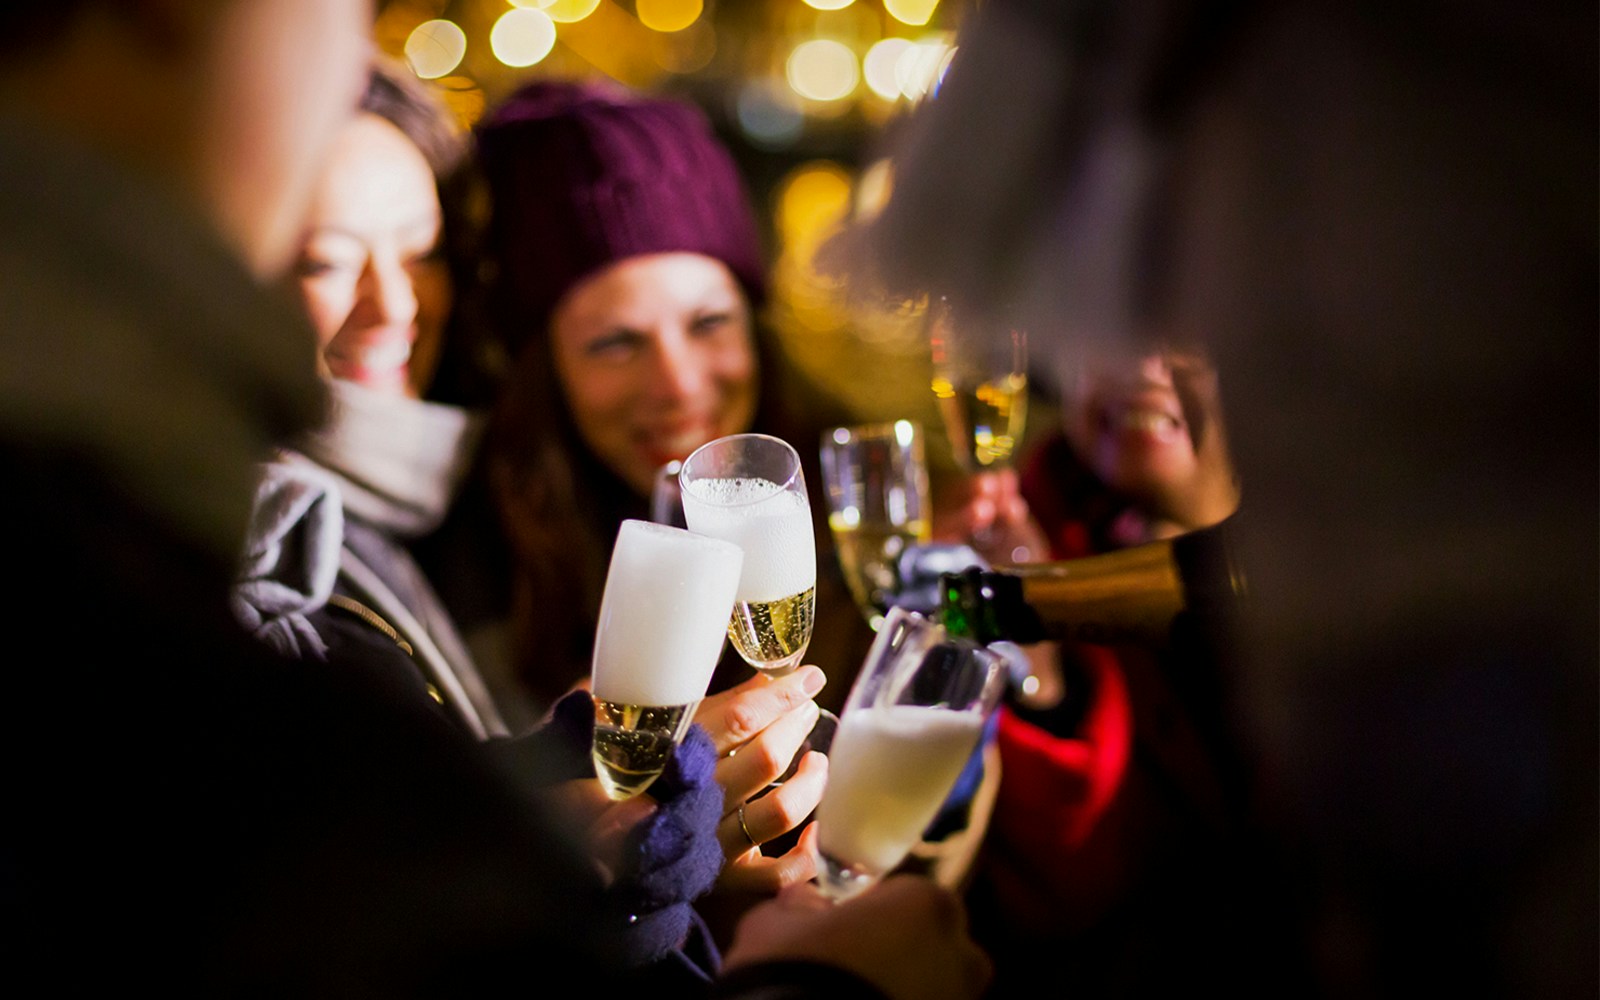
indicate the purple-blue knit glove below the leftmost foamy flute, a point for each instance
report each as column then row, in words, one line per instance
column 673, row 857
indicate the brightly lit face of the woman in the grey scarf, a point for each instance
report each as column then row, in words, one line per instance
column 370, row 271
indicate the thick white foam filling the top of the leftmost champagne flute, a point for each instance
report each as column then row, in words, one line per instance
column 665, row 614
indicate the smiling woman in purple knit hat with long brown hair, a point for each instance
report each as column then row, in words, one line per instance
column 625, row 271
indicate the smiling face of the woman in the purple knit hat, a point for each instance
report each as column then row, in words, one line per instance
column 655, row 358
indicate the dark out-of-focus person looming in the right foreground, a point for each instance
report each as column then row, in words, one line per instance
column 1390, row 254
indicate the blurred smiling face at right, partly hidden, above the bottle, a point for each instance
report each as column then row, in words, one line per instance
column 1151, row 428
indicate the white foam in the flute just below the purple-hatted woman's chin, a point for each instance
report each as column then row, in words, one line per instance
column 770, row 524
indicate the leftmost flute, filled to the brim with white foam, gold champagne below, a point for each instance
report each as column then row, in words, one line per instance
column 663, row 617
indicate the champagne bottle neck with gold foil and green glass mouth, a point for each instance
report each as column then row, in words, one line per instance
column 1156, row 594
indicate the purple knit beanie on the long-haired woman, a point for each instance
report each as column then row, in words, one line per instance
column 583, row 175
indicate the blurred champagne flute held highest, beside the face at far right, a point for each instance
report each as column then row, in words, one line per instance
column 980, row 383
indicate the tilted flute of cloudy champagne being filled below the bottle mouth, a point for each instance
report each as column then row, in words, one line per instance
column 913, row 721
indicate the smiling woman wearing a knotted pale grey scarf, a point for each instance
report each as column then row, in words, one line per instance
column 332, row 518
